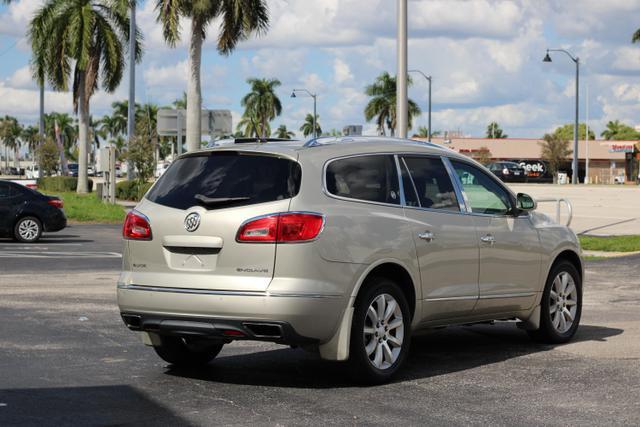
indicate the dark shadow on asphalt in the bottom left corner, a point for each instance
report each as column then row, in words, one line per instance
column 72, row 406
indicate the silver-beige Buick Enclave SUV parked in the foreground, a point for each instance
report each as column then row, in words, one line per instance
column 343, row 245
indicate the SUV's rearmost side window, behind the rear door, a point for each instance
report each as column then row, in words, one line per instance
column 372, row 178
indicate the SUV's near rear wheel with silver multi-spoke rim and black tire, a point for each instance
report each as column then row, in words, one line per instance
column 379, row 346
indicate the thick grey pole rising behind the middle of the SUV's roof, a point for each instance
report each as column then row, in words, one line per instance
column 402, row 109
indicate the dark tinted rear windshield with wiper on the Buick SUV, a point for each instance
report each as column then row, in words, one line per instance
column 224, row 179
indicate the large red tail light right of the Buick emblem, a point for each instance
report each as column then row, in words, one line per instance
column 285, row 227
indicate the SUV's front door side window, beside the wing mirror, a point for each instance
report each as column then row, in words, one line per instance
column 484, row 195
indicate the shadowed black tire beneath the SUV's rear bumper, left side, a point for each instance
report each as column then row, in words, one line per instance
column 186, row 352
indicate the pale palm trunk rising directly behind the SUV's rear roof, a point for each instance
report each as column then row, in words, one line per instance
column 194, row 94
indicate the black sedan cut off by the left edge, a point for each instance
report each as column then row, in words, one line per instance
column 26, row 213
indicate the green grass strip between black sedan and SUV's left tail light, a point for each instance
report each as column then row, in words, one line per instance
column 87, row 208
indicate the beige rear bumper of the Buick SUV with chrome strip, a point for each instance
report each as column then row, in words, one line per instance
column 303, row 318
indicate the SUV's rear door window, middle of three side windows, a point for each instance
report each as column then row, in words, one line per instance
column 430, row 180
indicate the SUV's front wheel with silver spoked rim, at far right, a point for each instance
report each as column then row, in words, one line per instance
column 561, row 305
